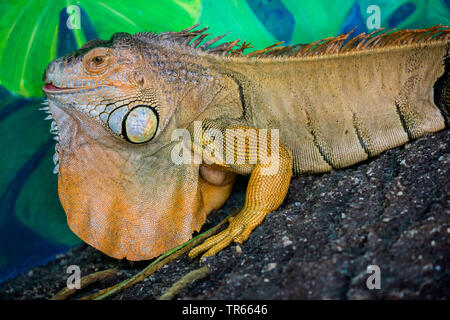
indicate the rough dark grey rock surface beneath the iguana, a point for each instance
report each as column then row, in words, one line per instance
column 392, row 211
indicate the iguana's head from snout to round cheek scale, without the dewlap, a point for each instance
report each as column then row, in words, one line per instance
column 105, row 80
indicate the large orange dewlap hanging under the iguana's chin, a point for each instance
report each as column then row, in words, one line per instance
column 133, row 214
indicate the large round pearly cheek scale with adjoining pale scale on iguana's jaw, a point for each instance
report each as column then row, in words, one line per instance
column 139, row 125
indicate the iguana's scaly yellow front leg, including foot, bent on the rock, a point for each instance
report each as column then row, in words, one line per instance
column 267, row 188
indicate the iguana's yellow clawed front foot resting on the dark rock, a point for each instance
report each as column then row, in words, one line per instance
column 238, row 230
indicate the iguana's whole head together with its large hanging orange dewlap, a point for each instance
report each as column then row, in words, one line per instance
column 115, row 107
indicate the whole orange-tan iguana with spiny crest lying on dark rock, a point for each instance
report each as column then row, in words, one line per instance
column 128, row 109
